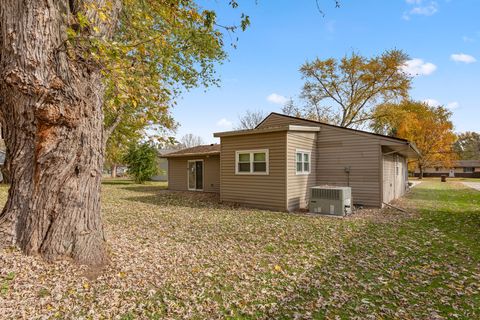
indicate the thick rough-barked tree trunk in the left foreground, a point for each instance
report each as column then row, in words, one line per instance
column 51, row 103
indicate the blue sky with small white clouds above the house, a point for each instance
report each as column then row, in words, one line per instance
column 442, row 38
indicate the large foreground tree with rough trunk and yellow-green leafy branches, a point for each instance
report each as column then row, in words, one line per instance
column 89, row 67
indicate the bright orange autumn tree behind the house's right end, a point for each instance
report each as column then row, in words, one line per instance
column 429, row 127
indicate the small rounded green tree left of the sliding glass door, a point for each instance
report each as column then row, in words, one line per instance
column 141, row 160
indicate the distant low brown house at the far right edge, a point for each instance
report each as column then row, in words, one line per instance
column 460, row 169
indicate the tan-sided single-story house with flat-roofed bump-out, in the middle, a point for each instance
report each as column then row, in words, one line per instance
column 274, row 165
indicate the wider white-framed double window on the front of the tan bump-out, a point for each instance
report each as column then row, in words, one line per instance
column 251, row 162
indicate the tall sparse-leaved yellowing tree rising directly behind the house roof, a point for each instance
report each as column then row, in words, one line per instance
column 344, row 92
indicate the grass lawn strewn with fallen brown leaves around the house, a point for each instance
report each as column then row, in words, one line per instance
column 184, row 255
